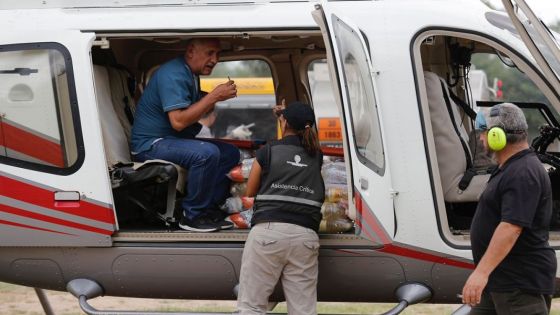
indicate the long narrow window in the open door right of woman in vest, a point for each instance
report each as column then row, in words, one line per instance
column 363, row 108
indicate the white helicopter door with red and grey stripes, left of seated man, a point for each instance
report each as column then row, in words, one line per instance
column 54, row 187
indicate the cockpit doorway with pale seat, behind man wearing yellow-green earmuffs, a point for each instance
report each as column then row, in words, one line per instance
column 450, row 64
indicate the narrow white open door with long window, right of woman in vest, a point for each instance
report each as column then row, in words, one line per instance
column 348, row 56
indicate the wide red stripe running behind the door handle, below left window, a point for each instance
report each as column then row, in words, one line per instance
column 44, row 198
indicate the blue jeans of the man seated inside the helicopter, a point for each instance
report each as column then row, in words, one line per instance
column 207, row 163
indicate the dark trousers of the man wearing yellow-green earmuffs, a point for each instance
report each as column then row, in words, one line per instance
column 512, row 303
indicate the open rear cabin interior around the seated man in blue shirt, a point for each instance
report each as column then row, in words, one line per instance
column 146, row 195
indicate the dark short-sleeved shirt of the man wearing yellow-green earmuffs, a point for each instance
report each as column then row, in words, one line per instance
column 518, row 193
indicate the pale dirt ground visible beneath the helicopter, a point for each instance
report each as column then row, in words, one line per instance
column 18, row 300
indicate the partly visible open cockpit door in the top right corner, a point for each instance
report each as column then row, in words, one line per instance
column 540, row 41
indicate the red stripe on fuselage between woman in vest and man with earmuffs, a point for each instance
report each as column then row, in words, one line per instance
column 392, row 248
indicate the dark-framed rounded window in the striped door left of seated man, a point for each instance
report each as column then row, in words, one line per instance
column 38, row 108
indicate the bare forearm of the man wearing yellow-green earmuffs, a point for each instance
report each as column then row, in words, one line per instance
column 502, row 242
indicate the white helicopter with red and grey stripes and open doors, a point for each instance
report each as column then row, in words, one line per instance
column 77, row 215
